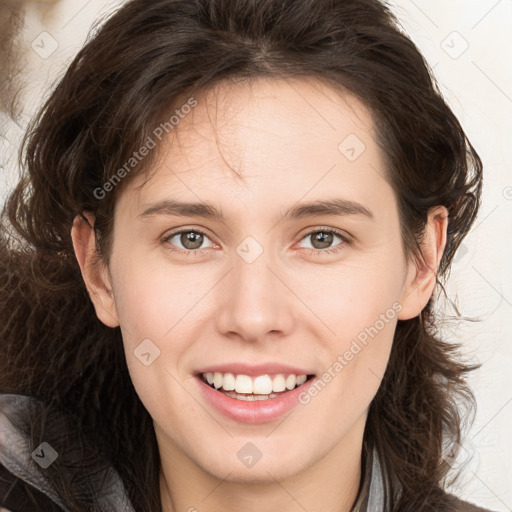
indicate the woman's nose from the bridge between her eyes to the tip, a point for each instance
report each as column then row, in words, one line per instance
column 254, row 300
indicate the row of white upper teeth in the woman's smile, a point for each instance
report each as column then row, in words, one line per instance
column 261, row 385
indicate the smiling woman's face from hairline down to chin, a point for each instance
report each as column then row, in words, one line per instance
column 260, row 289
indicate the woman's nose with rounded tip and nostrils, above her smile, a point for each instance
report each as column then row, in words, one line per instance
column 255, row 301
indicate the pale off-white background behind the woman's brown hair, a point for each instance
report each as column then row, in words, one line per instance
column 469, row 44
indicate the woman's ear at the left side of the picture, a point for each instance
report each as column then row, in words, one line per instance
column 94, row 272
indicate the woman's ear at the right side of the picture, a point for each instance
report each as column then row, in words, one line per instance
column 421, row 276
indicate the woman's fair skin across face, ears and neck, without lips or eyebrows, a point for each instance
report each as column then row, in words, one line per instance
column 288, row 306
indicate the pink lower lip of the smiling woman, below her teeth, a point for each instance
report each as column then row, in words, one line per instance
column 257, row 411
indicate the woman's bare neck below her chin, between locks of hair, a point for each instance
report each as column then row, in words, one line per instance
column 330, row 485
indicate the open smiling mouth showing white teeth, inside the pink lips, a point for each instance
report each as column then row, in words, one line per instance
column 254, row 388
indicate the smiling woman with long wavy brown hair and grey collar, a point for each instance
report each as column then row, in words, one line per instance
column 220, row 268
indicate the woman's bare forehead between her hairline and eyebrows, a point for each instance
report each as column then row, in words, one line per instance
column 263, row 137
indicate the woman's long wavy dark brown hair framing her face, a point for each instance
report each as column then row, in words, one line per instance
column 127, row 79
